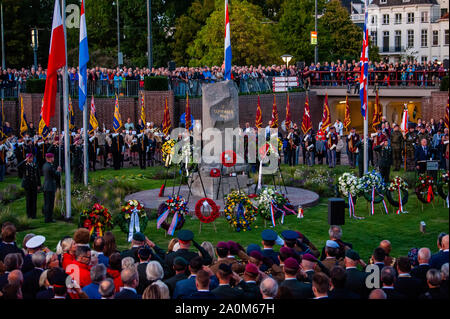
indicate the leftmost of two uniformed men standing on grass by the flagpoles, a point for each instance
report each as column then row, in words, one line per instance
column 31, row 182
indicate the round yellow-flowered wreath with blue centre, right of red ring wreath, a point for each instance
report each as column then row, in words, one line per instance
column 245, row 214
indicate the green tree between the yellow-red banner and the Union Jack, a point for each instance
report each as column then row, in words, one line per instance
column 338, row 36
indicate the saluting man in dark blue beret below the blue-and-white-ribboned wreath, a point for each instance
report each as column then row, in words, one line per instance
column 185, row 238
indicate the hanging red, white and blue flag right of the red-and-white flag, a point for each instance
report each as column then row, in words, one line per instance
column 83, row 60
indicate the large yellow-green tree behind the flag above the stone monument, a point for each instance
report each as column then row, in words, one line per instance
column 252, row 41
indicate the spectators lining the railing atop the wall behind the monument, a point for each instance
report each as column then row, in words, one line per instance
column 342, row 73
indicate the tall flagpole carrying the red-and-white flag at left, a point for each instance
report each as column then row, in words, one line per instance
column 66, row 121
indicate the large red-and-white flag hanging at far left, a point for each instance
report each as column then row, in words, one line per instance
column 56, row 60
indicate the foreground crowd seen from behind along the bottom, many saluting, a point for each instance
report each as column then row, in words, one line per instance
column 285, row 266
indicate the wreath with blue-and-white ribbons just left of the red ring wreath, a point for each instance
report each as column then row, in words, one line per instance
column 175, row 206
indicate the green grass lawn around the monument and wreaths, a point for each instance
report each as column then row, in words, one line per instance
column 402, row 230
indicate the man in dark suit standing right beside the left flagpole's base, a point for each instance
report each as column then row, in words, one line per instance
column 50, row 180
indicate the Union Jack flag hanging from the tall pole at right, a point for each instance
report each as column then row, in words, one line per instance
column 364, row 64
